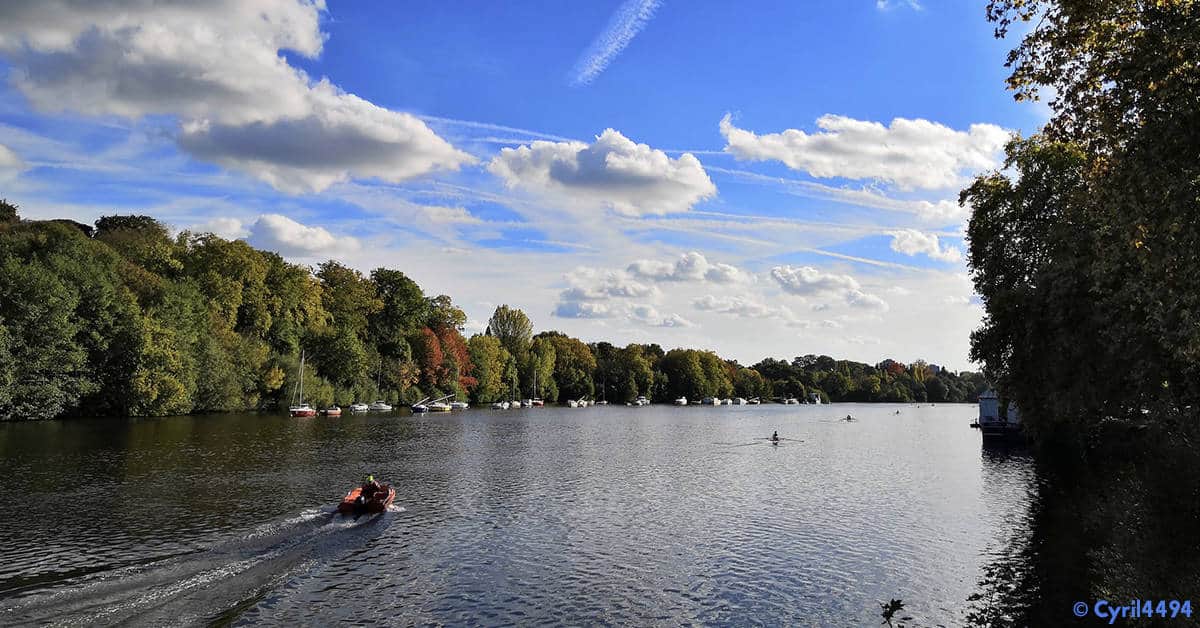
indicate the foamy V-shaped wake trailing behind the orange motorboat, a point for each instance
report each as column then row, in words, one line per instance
column 212, row 585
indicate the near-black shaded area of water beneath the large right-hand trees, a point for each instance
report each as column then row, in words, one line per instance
column 1121, row 523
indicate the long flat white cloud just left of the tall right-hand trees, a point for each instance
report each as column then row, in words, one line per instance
column 911, row 154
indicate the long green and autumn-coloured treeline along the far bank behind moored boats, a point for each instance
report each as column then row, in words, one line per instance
column 122, row 319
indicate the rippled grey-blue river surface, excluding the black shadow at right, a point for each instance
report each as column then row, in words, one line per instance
column 646, row 516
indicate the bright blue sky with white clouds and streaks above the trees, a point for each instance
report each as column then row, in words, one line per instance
column 766, row 180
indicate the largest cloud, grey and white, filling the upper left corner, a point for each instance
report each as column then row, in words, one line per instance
column 218, row 67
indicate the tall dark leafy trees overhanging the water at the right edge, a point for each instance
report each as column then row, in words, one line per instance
column 1084, row 249
